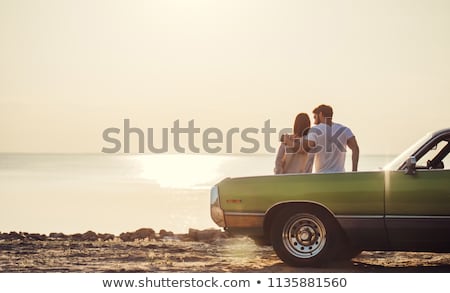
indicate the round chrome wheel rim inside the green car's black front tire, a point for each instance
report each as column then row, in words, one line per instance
column 304, row 235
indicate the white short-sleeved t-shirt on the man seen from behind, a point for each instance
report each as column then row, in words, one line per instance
column 331, row 146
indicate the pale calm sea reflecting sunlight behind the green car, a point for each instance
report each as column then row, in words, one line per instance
column 74, row 193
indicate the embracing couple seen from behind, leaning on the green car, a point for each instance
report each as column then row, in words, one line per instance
column 325, row 143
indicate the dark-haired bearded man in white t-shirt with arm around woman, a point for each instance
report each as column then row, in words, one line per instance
column 328, row 141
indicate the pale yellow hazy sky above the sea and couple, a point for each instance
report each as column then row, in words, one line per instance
column 70, row 69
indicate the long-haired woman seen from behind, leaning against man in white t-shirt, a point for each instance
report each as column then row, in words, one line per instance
column 291, row 157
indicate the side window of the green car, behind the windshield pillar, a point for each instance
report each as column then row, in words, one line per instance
column 436, row 157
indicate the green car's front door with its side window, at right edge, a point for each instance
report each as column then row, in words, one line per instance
column 417, row 206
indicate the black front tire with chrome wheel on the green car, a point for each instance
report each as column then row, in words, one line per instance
column 305, row 236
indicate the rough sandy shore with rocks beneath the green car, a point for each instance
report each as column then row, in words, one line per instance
column 196, row 251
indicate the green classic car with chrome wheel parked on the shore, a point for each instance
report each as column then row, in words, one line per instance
column 311, row 219
